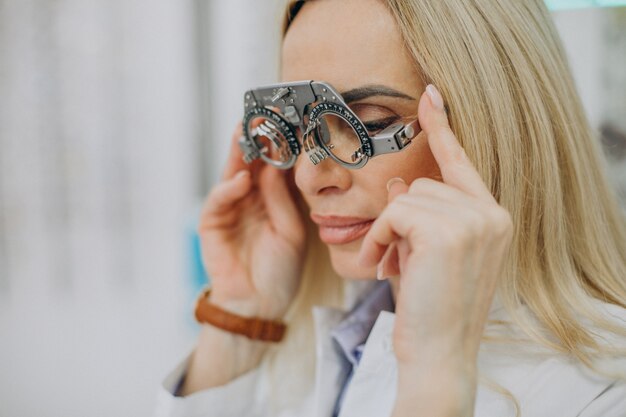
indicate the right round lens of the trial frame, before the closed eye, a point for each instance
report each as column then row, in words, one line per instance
column 340, row 138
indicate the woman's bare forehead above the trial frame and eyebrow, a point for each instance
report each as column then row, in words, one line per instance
column 347, row 43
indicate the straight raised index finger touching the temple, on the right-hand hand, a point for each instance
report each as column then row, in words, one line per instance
column 456, row 168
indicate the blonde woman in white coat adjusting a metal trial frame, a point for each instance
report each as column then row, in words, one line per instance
column 501, row 194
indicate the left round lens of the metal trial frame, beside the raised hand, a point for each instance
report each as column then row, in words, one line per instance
column 270, row 140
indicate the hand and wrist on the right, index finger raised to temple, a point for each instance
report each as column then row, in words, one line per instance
column 451, row 239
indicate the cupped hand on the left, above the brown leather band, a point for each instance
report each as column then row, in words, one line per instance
column 252, row 237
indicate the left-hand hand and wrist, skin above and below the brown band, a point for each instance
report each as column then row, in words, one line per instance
column 253, row 239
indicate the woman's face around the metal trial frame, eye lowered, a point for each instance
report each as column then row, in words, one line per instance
column 355, row 45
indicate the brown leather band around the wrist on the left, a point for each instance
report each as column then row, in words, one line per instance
column 252, row 327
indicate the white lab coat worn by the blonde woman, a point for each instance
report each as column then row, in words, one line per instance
column 545, row 384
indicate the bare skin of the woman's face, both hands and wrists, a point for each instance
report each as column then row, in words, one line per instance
column 437, row 227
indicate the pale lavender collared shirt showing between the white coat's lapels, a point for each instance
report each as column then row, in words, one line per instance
column 350, row 335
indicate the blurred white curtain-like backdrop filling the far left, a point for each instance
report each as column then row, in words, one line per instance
column 98, row 175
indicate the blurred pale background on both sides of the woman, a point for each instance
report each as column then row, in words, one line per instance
column 115, row 118
